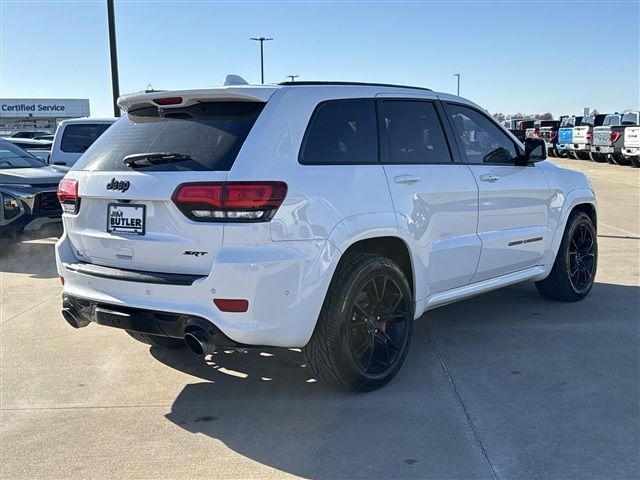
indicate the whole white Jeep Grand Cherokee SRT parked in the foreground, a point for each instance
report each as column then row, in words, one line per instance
column 326, row 216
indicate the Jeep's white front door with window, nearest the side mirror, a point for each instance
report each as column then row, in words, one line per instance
column 514, row 201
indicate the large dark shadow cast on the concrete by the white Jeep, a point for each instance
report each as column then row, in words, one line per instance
column 465, row 365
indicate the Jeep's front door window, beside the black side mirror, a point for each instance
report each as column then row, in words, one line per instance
column 482, row 141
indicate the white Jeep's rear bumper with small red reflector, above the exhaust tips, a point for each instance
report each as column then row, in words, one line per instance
column 284, row 283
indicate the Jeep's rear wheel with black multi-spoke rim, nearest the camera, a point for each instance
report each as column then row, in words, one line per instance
column 352, row 346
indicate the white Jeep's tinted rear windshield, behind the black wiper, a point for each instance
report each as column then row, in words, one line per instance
column 210, row 133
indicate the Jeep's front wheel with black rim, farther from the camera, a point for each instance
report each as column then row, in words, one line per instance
column 561, row 285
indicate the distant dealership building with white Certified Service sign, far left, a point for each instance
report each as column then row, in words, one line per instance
column 17, row 114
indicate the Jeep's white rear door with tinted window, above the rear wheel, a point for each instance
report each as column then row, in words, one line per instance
column 434, row 194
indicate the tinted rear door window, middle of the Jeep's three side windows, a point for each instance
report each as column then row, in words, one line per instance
column 414, row 133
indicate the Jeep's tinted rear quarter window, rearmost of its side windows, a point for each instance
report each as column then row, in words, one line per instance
column 341, row 132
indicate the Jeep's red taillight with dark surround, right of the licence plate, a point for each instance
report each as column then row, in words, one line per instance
column 230, row 201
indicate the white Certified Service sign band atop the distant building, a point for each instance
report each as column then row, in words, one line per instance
column 44, row 108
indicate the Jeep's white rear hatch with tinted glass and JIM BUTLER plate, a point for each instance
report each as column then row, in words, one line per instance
column 126, row 180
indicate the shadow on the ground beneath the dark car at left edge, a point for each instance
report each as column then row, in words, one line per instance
column 30, row 253
